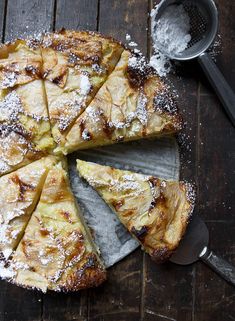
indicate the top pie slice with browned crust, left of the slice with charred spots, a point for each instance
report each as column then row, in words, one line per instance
column 75, row 66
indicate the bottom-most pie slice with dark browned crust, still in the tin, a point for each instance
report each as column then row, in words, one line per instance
column 57, row 252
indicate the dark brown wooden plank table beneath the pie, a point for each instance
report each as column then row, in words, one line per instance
column 137, row 289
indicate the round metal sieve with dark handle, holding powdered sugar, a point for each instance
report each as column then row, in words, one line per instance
column 203, row 16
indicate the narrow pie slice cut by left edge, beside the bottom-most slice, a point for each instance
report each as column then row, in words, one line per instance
column 19, row 194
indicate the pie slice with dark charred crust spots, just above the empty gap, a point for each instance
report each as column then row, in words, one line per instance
column 133, row 103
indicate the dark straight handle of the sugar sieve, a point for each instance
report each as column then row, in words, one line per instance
column 220, row 85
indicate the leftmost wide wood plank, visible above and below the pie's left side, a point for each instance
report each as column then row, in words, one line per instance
column 23, row 18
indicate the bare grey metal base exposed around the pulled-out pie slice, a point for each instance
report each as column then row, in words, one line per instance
column 159, row 157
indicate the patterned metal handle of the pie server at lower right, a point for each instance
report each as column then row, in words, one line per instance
column 219, row 265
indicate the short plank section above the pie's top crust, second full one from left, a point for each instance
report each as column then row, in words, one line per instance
column 79, row 14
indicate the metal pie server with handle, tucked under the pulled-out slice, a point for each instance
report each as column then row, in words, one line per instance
column 194, row 247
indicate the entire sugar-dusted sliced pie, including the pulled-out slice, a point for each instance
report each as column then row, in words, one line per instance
column 67, row 91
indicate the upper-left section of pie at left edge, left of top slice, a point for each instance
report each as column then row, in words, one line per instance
column 24, row 124
